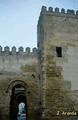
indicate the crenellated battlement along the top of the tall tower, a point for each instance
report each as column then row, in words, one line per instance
column 57, row 10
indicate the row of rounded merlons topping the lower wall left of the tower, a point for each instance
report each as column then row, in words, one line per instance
column 6, row 51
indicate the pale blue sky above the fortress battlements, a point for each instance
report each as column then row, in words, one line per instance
column 18, row 20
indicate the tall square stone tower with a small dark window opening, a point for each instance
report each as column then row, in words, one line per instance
column 57, row 33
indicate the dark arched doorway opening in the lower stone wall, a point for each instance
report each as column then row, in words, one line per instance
column 18, row 97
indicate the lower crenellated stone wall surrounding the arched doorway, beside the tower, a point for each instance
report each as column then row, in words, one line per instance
column 18, row 68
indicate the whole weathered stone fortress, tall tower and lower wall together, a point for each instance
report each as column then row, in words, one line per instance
column 44, row 78
